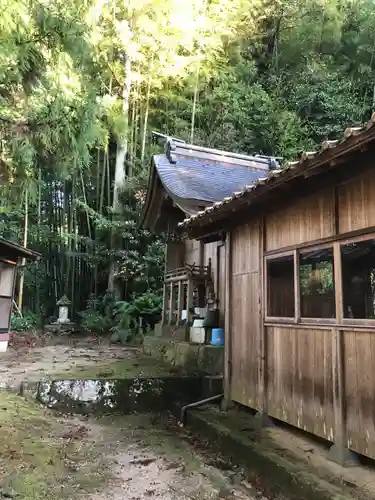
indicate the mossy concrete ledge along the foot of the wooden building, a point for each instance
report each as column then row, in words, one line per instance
column 278, row 472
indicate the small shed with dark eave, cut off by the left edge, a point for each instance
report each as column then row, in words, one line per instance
column 10, row 254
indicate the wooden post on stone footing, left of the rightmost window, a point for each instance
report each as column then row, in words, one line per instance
column 339, row 451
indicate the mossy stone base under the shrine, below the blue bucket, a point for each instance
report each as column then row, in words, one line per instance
column 192, row 358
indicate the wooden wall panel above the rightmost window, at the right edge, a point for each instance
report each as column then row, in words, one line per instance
column 357, row 203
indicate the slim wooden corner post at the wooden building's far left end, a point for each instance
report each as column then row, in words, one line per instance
column 227, row 322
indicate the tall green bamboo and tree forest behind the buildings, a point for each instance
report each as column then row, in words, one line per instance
column 83, row 84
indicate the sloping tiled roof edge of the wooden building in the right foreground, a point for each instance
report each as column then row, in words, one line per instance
column 328, row 150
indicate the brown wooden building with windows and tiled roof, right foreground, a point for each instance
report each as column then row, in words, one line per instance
column 300, row 291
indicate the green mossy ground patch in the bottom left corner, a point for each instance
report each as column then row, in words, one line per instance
column 38, row 457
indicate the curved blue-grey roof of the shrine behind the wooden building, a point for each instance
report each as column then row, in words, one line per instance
column 203, row 179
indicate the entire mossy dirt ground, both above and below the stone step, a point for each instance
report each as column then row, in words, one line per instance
column 132, row 457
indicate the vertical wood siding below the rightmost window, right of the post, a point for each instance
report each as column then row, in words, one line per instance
column 359, row 370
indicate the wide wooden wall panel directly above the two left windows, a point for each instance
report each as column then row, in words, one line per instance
column 308, row 219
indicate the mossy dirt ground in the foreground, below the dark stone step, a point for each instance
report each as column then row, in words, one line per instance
column 133, row 457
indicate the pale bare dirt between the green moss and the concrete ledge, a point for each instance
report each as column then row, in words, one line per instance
column 154, row 463
